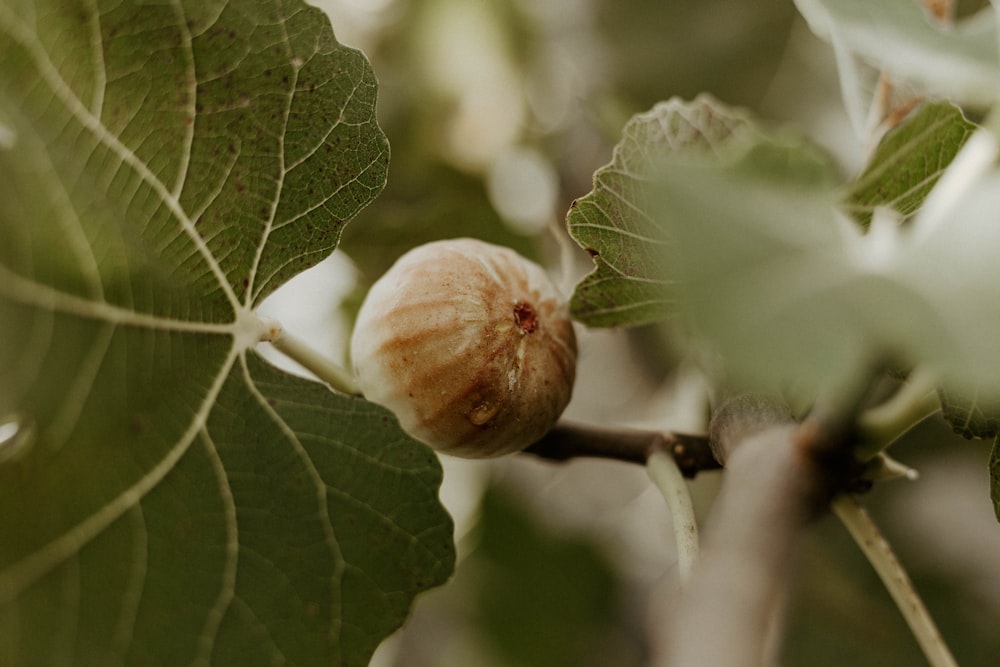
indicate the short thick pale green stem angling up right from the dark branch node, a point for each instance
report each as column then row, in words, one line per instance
column 884, row 424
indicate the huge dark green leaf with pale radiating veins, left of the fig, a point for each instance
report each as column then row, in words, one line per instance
column 166, row 497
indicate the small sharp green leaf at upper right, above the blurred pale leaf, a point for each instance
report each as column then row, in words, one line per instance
column 909, row 160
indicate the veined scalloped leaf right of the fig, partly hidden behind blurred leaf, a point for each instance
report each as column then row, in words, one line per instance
column 623, row 223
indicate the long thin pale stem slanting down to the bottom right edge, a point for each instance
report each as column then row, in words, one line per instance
column 891, row 572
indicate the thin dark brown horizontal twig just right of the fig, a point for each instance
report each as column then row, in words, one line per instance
column 568, row 440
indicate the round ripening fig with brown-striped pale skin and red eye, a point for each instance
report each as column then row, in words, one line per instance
column 469, row 344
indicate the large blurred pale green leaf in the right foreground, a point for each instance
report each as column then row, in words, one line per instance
column 792, row 295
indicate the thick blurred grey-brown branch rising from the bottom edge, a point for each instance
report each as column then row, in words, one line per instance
column 779, row 476
